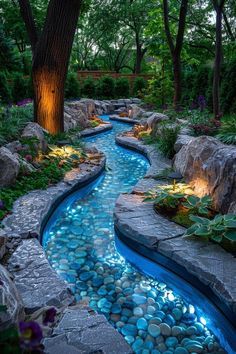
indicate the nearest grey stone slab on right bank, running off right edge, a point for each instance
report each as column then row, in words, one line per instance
column 209, row 262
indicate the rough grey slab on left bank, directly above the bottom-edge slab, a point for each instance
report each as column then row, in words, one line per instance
column 37, row 283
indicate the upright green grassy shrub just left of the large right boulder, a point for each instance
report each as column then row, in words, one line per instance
column 166, row 140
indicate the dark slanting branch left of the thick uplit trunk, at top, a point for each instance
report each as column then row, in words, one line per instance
column 27, row 15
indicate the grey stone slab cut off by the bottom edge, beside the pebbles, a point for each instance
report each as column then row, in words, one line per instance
column 81, row 331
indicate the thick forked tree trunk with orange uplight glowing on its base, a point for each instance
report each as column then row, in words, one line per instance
column 51, row 52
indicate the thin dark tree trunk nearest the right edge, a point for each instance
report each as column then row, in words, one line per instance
column 218, row 6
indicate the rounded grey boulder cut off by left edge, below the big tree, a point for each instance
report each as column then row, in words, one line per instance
column 9, row 167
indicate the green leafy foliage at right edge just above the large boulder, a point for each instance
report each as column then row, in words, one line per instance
column 227, row 131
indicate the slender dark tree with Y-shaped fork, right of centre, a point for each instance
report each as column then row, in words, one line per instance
column 176, row 45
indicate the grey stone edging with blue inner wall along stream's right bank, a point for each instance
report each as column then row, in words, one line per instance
column 206, row 265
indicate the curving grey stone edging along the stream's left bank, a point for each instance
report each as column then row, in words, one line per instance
column 37, row 283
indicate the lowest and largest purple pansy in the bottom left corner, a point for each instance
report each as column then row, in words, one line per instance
column 30, row 334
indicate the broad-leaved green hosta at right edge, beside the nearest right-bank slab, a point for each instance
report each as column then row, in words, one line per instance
column 220, row 228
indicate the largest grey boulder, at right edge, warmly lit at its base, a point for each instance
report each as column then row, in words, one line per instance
column 210, row 167
